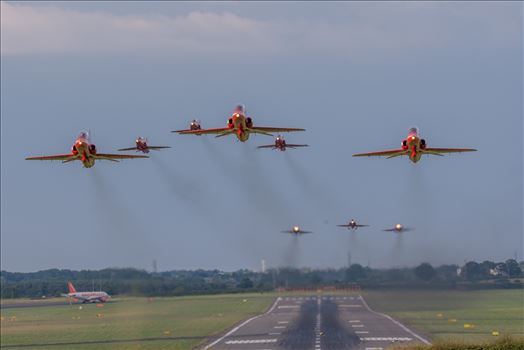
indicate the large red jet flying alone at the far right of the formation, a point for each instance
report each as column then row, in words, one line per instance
column 414, row 147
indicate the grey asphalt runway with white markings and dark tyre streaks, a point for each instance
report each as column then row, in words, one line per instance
column 316, row 323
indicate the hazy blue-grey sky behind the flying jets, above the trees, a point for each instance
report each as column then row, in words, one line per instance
column 355, row 75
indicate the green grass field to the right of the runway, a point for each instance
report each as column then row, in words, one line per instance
column 442, row 315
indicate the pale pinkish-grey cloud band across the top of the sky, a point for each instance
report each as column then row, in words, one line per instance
column 367, row 28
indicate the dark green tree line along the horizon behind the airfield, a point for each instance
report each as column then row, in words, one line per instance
column 130, row 281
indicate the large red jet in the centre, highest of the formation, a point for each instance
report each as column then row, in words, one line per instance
column 240, row 125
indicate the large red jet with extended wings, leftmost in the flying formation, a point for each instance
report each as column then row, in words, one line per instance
column 85, row 152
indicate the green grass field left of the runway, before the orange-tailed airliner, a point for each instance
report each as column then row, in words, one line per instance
column 130, row 318
